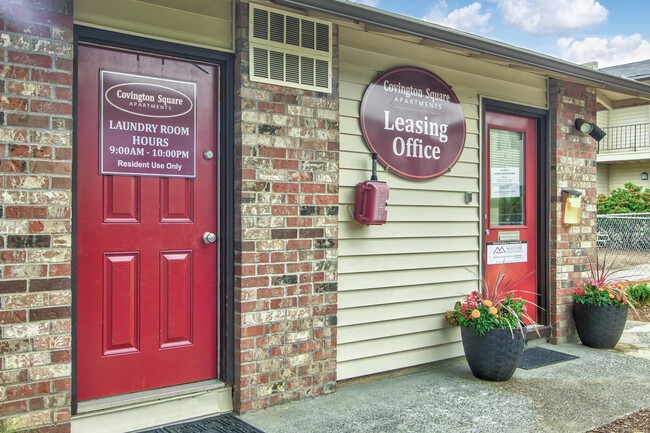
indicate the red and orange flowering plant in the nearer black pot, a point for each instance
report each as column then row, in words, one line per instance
column 493, row 306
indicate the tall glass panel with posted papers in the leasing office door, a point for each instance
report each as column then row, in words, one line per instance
column 506, row 178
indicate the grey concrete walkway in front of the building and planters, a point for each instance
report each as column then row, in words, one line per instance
column 572, row 396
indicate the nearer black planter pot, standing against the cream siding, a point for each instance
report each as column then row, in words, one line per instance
column 495, row 355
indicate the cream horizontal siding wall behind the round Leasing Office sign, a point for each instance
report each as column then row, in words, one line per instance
column 397, row 280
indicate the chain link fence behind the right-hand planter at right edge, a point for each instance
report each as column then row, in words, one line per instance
column 625, row 238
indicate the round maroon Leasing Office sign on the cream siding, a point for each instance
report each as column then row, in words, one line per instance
column 414, row 122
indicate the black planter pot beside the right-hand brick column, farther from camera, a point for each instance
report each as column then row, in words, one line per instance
column 599, row 326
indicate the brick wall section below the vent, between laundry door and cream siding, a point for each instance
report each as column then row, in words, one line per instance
column 286, row 209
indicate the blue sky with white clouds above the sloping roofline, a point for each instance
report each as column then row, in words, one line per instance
column 611, row 32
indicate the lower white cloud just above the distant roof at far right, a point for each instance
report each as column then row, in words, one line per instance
column 612, row 51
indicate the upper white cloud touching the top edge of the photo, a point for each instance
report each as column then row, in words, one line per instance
column 545, row 17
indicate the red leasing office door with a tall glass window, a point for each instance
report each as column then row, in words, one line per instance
column 511, row 202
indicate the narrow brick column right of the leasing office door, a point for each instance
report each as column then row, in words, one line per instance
column 573, row 166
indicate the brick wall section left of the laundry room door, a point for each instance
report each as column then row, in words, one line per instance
column 35, row 209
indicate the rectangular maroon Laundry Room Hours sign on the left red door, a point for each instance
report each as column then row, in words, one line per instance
column 148, row 126
